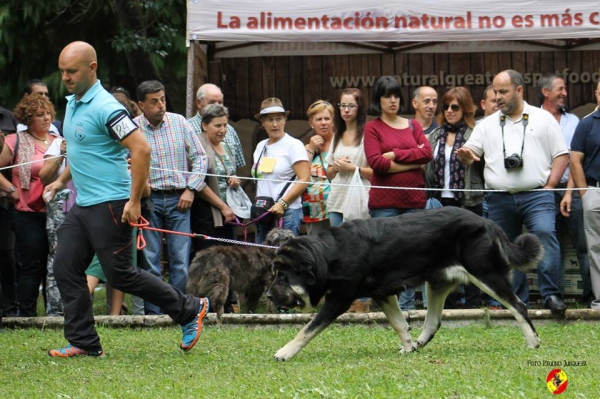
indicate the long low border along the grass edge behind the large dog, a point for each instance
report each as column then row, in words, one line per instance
column 414, row 318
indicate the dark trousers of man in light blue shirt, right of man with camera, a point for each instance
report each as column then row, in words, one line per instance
column 574, row 225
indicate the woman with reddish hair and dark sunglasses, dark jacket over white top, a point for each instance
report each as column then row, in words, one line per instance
column 445, row 172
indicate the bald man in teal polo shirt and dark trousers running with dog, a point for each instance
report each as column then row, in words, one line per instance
column 99, row 132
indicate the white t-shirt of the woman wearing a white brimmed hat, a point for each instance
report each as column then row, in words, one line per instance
column 286, row 152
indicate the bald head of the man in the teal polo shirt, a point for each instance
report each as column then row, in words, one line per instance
column 78, row 65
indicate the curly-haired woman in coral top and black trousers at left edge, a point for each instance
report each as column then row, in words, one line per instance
column 25, row 191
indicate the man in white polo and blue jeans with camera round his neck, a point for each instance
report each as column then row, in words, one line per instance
column 525, row 155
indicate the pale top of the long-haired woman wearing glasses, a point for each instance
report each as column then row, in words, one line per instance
column 337, row 194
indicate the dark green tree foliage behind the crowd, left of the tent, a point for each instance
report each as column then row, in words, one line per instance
column 33, row 32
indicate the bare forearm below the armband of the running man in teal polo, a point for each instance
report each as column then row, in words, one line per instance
column 140, row 167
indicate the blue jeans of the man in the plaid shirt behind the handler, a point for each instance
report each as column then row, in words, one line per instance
column 166, row 216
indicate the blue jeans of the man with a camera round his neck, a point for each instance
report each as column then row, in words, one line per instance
column 536, row 210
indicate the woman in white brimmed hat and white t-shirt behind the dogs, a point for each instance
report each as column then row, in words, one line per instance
column 280, row 164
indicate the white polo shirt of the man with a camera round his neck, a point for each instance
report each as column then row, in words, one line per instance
column 544, row 141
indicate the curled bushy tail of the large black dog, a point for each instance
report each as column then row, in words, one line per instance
column 524, row 254
